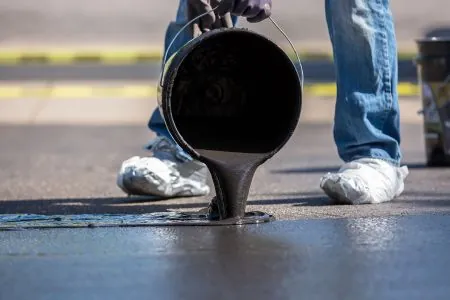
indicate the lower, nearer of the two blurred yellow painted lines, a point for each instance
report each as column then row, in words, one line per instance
column 75, row 91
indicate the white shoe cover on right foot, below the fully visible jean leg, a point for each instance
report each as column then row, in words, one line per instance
column 365, row 181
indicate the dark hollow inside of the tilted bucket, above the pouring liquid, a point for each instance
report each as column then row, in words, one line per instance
column 235, row 91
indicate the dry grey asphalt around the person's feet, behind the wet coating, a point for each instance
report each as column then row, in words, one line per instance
column 72, row 169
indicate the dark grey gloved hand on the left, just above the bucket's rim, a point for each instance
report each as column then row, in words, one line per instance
column 210, row 21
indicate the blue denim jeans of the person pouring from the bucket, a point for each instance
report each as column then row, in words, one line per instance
column 367, row 121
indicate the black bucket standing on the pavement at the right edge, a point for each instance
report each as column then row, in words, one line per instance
column 433, row 67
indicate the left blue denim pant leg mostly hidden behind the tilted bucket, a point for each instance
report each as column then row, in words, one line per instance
column 156, row 122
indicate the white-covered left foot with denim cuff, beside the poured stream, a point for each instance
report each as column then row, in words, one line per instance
column 168, row 173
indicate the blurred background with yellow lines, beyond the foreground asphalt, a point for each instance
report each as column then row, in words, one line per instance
column 110, row 52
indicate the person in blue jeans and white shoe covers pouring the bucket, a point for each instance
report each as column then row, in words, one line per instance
column 366, row 124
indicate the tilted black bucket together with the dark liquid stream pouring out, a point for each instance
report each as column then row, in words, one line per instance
column 231, row 98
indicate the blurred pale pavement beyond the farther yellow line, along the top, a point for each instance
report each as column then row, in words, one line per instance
column 66, row 23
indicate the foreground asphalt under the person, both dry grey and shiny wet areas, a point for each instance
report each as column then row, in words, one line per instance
column 314, row 250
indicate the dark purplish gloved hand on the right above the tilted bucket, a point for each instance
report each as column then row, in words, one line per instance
column 253, row 10
